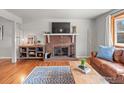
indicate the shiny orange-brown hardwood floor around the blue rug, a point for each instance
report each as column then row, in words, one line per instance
column 15, row 73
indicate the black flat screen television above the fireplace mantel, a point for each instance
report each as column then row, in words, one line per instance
column 60, row 27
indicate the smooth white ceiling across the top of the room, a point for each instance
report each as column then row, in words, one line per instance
column 57, row 13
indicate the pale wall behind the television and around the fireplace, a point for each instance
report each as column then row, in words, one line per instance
column 44, row 25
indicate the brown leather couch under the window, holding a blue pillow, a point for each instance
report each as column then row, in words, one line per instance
column 113, row 71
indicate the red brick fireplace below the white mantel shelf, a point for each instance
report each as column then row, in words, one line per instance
column 61, row 45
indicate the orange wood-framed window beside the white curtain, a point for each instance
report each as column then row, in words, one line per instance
column 118, row 30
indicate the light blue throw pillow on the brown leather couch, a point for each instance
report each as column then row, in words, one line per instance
column 106, row 52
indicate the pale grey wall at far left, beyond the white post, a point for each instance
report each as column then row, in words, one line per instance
column 6, row 43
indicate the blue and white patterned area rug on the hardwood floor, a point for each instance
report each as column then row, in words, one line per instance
column 50, row 75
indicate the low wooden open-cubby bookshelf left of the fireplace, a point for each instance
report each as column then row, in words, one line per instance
column 31, row 51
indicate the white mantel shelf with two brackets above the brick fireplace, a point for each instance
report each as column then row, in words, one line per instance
column 61, row 34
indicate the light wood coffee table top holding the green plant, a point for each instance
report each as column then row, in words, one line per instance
column 92, row 77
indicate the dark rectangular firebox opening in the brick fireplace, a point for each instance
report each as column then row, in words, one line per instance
column 61, row 51
